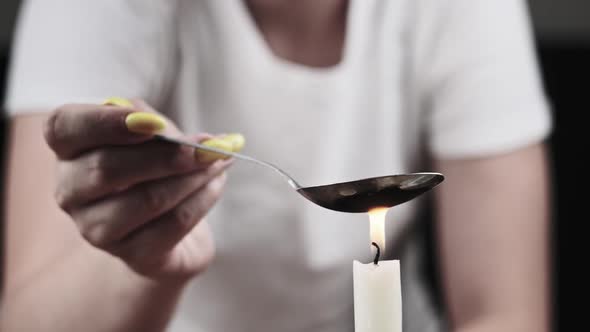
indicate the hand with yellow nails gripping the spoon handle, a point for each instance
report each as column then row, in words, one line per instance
column 138, row 199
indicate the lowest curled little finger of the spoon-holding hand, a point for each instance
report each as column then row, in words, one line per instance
column 158, row 237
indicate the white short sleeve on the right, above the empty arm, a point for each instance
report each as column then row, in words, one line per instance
column 482, row 87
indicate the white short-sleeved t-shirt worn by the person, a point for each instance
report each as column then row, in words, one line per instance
column 418, row 79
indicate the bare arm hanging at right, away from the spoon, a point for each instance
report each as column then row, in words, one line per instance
column 492, row 228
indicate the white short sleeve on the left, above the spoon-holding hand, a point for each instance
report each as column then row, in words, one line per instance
column 85, row 50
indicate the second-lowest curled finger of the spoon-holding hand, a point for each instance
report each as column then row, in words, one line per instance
column 111, row 219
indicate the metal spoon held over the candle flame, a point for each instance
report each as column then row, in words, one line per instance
column 354, row 196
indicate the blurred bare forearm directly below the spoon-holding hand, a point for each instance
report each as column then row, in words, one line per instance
column 88, row 292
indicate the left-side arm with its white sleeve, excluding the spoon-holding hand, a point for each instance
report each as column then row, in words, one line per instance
column 54, row 280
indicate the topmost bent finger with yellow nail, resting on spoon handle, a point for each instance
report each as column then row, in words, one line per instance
column 72, row 129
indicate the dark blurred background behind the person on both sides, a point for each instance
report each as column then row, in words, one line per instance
column 563, row 38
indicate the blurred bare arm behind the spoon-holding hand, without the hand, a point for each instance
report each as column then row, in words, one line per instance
column 54, row 280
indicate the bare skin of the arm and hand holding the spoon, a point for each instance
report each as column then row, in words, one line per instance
column 131, row 226
